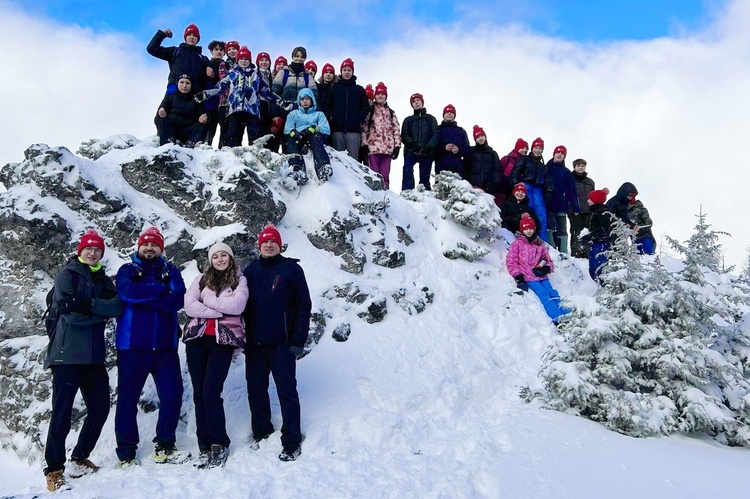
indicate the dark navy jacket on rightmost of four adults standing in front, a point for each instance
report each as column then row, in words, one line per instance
column 279, row 305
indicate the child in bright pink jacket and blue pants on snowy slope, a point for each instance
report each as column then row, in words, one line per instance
column 529, row 263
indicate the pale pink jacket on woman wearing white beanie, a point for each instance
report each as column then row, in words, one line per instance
column 226, row 308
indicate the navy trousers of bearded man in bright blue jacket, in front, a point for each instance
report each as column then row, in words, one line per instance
column 133, row 368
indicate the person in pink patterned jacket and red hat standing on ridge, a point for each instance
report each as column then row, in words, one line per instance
column 381, row 134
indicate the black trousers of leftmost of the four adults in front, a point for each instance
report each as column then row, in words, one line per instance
column 93, row 381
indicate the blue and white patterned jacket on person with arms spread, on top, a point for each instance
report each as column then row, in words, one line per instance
column 246, row 87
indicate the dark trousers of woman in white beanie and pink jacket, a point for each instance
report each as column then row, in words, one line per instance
column 208, row 364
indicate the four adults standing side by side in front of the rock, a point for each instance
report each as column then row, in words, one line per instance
column 263, row 311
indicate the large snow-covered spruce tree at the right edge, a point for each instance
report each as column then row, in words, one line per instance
column 643, row 360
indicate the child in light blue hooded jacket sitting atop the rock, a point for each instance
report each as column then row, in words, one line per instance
column 307, row 126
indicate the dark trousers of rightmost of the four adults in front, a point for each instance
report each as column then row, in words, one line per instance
column 260, row 362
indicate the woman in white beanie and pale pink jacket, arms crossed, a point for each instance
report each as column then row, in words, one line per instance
column 214, row 303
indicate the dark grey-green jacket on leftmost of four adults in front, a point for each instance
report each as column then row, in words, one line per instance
column 79, row 338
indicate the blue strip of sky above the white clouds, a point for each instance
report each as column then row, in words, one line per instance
column 368, row 22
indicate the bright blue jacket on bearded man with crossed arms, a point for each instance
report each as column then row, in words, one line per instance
column 152, row 292
